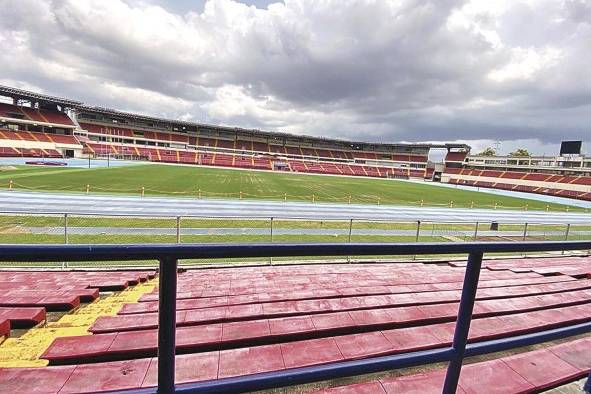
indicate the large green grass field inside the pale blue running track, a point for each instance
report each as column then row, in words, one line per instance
column 223, row 183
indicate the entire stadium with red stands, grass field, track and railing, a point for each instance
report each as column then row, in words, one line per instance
column 228, row 260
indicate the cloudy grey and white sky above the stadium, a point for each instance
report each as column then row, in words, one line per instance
column 479, row 71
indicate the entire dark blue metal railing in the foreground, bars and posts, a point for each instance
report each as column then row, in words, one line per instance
column 168, row 256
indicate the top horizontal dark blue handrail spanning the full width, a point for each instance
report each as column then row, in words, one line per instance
column 134, row 252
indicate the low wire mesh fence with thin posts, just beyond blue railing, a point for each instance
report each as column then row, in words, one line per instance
column 52, row 228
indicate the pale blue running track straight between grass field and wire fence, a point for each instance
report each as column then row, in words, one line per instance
column 34, row 202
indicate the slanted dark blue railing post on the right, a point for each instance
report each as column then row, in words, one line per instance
column 463, row 323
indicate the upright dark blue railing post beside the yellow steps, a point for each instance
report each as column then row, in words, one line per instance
column 166, row 324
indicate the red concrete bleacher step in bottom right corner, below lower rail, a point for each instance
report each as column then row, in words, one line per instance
column 528, row 372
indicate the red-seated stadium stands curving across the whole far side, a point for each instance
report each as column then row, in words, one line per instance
column 36, row 125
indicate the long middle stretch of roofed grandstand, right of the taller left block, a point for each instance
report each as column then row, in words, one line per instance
column 123, row 135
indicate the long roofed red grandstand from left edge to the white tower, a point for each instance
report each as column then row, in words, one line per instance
column 34, row 125
